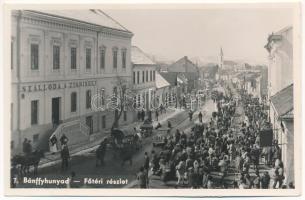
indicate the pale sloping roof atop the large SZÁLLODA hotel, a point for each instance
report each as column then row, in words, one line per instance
column 96, row 17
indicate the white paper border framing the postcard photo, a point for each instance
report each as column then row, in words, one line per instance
column 18, row 4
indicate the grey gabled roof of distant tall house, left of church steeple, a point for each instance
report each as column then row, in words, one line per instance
column 183, row 65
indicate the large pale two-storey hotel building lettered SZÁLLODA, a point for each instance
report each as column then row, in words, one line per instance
column 60, row 61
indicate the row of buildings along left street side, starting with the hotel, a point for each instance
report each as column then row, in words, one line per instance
column 66, row 65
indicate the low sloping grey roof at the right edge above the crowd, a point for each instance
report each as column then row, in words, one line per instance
column 282, row 101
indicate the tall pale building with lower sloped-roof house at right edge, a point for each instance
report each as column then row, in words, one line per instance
column 281, row 95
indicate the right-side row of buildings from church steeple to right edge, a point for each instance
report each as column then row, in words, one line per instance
column 273, row 86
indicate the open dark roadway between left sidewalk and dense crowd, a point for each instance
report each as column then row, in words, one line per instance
column 84, row 165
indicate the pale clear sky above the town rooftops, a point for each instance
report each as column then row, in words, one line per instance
column 171, row 34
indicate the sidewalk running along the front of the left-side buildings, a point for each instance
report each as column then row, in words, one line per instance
column 82, row 148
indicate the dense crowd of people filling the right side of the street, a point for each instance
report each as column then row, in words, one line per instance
column 227, row 145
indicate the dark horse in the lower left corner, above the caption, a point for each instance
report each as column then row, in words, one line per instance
column 26, row 161
